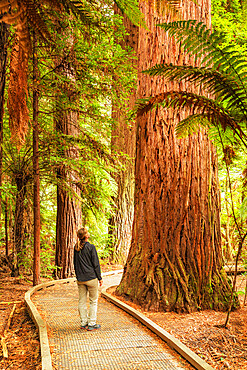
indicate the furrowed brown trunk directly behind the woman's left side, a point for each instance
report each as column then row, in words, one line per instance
column 68, row 207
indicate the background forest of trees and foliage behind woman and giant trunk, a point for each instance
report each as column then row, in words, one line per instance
column 67, row 79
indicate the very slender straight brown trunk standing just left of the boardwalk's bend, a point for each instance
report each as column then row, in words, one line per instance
column 36, row 178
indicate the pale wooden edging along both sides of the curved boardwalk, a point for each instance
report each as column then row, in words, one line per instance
column 173, row 342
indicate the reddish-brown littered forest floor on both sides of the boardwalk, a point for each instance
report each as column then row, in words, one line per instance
column 200, row 331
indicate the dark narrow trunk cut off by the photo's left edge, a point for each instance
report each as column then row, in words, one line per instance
column 3, row 60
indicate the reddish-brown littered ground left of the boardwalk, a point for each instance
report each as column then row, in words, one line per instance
column 21, row 337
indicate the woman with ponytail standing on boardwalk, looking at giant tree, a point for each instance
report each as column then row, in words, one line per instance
column 88, row 274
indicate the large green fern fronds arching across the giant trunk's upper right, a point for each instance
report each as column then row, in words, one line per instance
column 223, row 74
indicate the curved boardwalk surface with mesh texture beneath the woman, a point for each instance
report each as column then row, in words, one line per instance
column 121, row 343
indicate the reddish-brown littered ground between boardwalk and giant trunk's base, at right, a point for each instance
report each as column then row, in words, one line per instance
column 204, row 332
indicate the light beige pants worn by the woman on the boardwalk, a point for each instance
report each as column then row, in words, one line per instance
column 90, row 287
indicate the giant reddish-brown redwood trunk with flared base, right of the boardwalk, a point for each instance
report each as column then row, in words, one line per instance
column 175, row 260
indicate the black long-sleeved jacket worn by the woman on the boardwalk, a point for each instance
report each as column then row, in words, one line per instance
column 86, row 263
